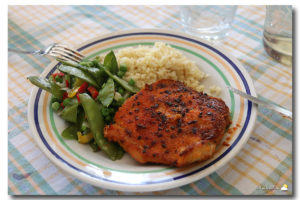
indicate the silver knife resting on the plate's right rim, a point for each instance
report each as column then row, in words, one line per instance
column 266, row 104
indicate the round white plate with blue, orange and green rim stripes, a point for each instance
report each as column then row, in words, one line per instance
column 126, row 174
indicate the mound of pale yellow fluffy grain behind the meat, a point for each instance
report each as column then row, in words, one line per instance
column 148, row 64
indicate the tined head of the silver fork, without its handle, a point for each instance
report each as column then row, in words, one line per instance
column 64, row 53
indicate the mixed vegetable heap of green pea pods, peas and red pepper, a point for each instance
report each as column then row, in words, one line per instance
column 87, row 96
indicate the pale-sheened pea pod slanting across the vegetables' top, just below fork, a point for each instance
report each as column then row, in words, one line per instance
column 79, row 73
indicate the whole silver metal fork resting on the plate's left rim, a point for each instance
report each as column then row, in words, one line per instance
column 58, row 51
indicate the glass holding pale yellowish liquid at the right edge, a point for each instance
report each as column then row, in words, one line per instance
column 278, row 33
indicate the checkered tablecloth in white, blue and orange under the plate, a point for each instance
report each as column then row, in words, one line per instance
column 264, row 163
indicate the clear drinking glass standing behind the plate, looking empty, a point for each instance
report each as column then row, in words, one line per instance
column 208, row 22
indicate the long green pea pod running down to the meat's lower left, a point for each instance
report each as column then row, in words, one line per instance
column 96, row 123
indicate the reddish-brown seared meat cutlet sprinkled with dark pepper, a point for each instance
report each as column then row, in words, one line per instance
column 169, row 123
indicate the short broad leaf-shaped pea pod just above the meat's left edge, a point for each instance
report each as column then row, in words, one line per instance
column 107, row 93
